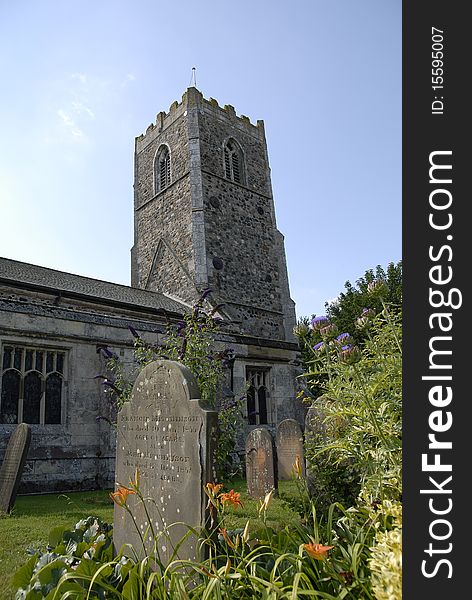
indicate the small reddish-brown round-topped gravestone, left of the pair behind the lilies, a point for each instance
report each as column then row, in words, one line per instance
column 261, row 474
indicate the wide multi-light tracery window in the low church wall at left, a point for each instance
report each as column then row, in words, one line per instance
column 32, row 381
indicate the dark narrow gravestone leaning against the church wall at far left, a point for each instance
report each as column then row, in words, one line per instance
column 13, row 465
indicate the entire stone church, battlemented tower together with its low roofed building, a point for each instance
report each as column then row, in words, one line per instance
column 203, row 218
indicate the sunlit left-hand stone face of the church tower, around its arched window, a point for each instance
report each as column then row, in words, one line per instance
column 163, row 253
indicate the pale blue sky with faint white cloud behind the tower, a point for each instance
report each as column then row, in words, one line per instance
column 80, row 80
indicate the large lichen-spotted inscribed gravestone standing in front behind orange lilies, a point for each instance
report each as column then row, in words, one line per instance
column 166, row 433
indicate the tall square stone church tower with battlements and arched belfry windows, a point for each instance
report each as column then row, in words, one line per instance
column 204, row 216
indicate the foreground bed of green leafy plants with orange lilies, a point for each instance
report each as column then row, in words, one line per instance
column 320, row 559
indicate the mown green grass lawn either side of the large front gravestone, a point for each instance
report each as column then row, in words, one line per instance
column 33, row 517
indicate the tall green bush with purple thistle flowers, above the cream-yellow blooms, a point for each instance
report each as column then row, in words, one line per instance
column 361, row 402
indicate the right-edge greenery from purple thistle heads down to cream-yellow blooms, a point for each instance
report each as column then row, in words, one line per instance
column 359, row 441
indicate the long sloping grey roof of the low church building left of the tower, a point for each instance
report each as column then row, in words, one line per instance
column 20, row 274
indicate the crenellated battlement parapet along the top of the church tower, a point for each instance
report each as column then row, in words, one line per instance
column 193, row 98
